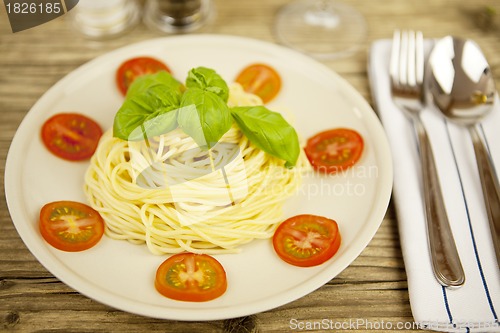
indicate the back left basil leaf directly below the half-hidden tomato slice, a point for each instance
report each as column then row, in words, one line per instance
column 155, row 83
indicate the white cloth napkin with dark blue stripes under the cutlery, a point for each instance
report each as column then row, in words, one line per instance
column 474, row 307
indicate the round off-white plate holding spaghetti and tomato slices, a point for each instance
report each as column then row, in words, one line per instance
column 120, row 274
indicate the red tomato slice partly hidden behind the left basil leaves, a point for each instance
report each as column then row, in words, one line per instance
column 132, row 68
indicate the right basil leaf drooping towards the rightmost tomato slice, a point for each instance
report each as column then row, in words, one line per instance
column 269, row 131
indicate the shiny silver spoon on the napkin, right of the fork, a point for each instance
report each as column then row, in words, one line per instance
column 462, row 87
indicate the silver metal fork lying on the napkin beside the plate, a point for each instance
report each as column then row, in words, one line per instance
column 407, row 76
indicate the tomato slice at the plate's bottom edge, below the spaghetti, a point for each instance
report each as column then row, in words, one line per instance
column 191, row 277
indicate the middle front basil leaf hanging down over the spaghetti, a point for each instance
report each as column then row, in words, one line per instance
column 204, row 116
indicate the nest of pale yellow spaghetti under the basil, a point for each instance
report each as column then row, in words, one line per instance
column 173, row 196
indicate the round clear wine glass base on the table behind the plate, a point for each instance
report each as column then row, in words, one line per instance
column 324, row 29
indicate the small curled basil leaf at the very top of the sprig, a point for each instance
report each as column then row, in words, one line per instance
column 207, row 79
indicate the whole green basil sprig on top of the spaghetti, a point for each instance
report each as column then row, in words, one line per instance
column 156, row 104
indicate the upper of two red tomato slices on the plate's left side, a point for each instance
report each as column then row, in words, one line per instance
column 71, row 136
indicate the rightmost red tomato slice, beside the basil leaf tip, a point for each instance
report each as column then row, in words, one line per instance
column 334, row 150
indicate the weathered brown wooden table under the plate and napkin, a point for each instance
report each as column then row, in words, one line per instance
column 373, row 288
